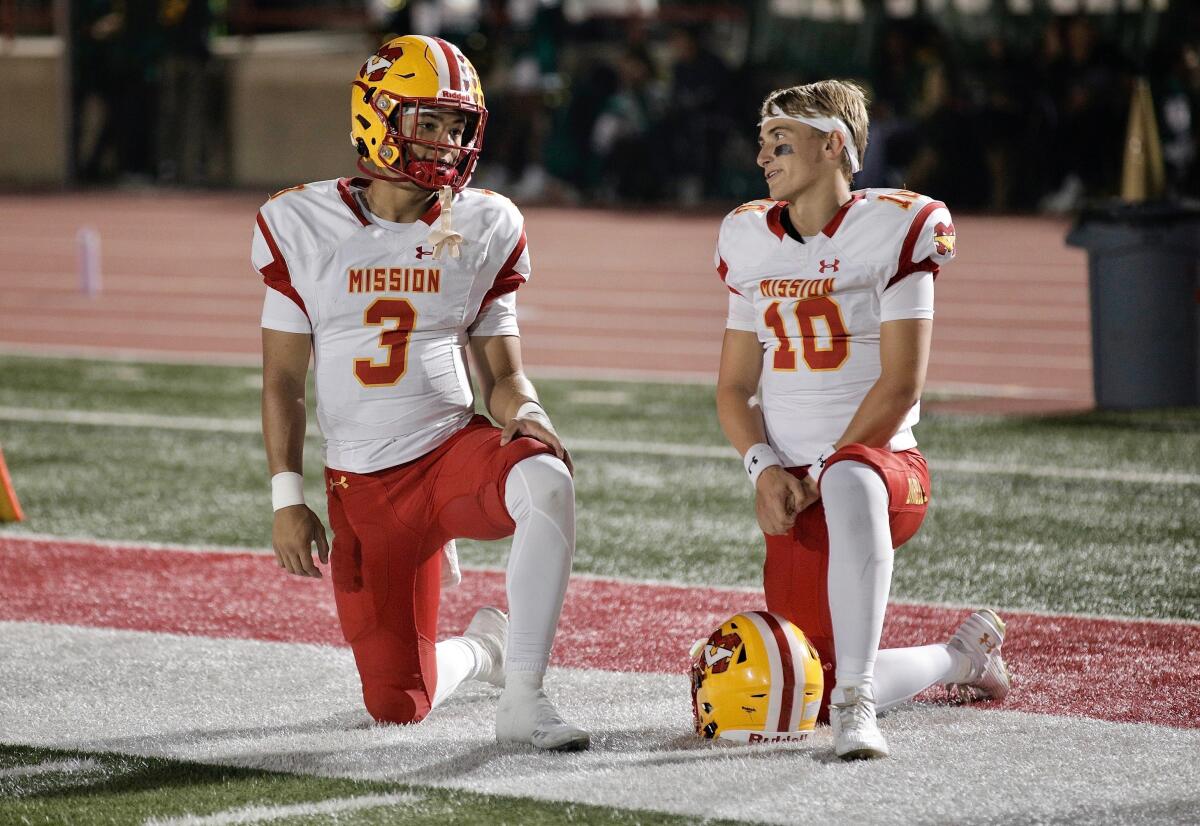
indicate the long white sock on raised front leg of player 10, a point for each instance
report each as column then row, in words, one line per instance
column 856, row 504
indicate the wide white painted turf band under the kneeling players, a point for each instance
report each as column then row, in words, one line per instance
column 297, row 708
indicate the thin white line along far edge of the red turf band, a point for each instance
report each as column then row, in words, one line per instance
column 735, row 590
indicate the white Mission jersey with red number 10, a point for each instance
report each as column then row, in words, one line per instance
column 817, row 307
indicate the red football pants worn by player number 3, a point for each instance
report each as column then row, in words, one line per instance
column 389, row 529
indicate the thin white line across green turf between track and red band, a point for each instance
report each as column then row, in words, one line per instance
column 218, row 426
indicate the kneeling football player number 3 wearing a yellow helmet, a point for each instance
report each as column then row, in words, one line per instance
column 371, row 278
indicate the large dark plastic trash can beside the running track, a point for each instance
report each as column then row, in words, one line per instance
column 1143, row 266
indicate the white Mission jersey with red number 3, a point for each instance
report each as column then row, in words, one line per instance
column 389, row 322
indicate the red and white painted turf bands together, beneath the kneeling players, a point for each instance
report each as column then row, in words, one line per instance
column 221, row 659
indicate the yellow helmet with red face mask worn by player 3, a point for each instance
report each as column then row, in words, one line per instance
column 407, row 79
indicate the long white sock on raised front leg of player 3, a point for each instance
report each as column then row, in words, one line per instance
column 541, row 498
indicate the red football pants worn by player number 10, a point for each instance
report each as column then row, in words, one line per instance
column 797, row 568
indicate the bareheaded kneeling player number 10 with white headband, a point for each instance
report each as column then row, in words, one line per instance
column 823, row 367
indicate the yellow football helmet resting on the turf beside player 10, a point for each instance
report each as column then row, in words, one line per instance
column 757, row 680
